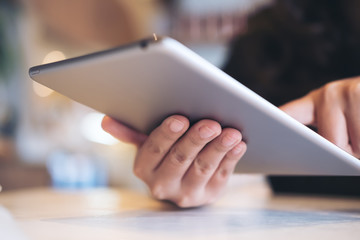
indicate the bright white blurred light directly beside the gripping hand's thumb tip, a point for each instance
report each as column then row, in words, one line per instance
column 92, row 131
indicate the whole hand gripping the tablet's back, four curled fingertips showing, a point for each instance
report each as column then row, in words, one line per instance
column 186, row 165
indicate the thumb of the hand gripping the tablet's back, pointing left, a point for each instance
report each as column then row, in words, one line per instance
column 122, row 132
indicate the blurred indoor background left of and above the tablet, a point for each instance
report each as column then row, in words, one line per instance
column 49, row 140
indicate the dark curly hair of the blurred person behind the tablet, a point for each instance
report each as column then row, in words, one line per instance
column 294, row 46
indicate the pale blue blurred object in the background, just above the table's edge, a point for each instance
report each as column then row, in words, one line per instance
column 70, row 170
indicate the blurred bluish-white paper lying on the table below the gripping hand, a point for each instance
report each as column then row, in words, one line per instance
column 211, row 222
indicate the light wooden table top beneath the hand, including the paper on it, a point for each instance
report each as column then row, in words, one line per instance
column 247, row 211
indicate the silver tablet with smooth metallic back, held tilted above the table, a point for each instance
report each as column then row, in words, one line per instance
column 143, row 83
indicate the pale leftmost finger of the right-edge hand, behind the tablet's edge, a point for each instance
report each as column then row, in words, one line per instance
column 302, row 109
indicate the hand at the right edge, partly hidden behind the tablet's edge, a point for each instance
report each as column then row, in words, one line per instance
column 334, row 110
